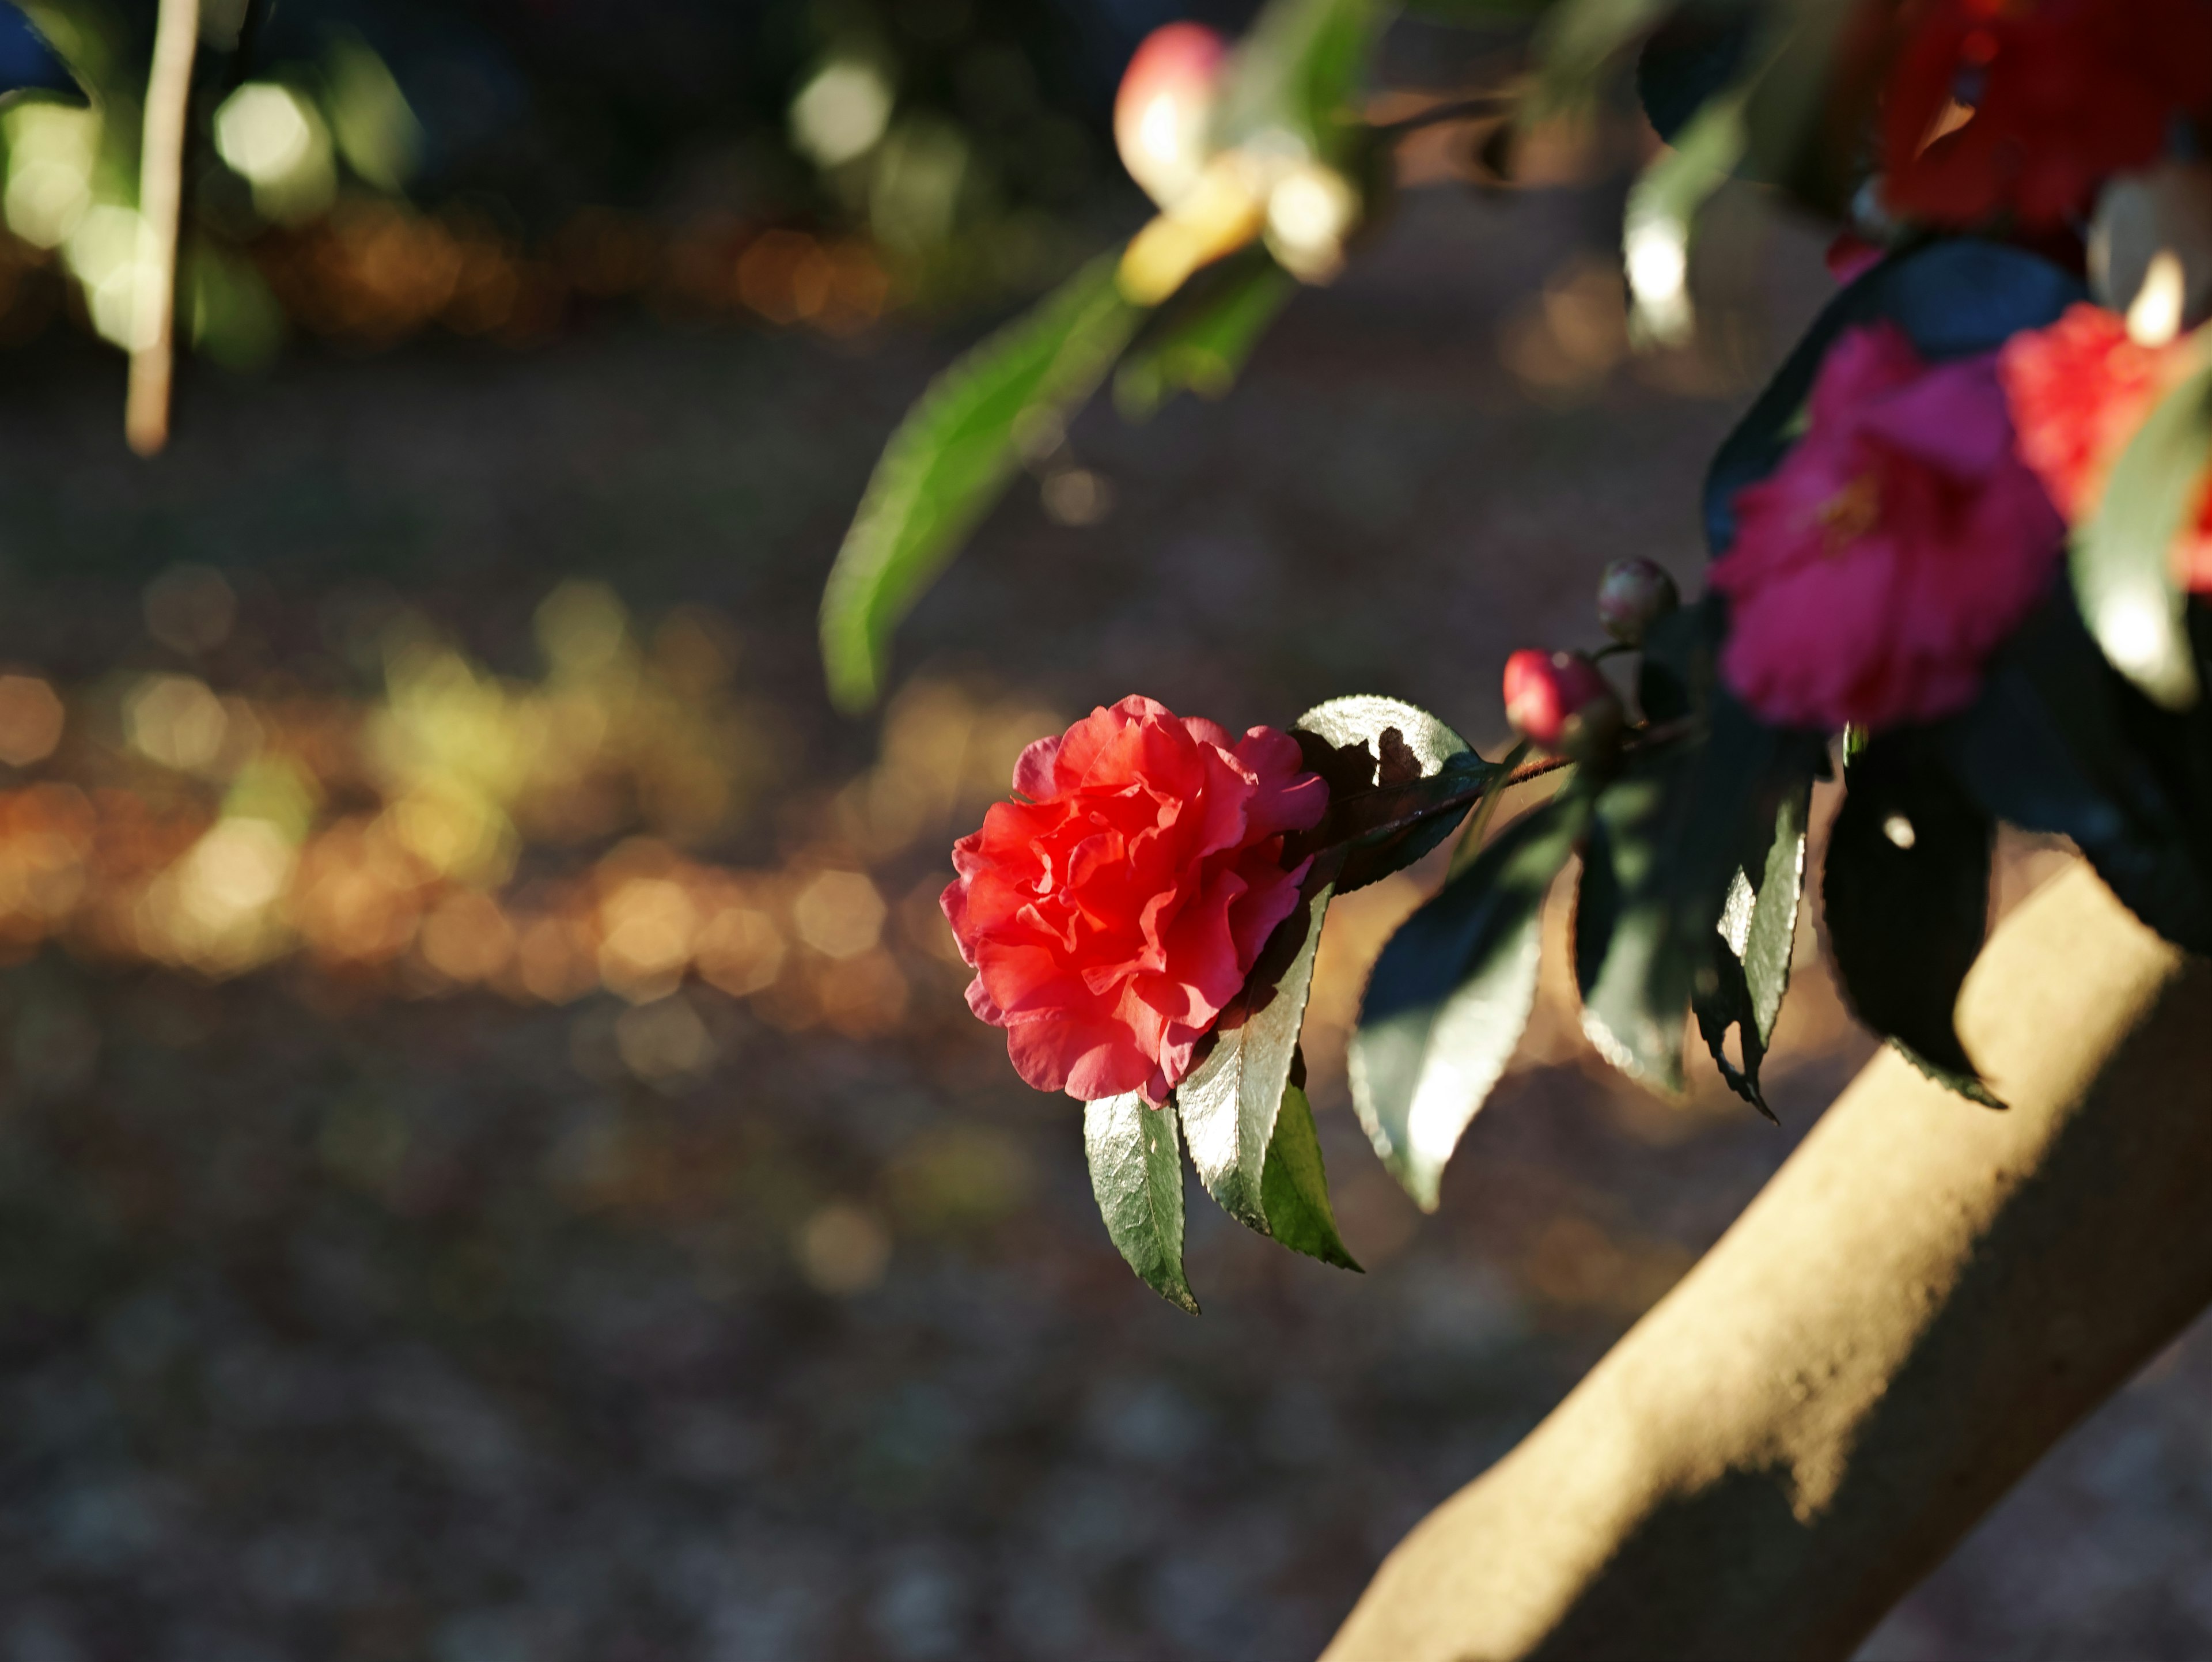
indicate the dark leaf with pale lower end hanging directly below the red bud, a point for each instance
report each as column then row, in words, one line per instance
column 1656, row 877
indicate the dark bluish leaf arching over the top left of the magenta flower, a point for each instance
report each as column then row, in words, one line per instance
column 1954, row 300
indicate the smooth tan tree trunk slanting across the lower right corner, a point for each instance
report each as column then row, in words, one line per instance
column 1919, row 1305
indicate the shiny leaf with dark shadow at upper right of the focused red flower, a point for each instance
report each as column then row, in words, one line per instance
column 1399, row 782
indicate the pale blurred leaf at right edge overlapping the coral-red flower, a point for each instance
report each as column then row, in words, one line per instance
column 2125, row 559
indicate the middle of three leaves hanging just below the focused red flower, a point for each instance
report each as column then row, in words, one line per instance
column 1231, row 1099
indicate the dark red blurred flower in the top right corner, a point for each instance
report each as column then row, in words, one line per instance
column 2025, row 107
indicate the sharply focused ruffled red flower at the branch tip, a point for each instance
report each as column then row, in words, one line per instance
column 1116, row 913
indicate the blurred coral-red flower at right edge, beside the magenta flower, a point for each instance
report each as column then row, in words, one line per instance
column 2078, row 393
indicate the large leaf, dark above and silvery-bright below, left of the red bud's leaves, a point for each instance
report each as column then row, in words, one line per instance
column 1450, row 997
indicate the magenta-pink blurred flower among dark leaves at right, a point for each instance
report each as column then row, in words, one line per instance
column 1895, row 548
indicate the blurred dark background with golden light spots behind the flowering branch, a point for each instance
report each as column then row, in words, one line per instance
column 494, row 1163
